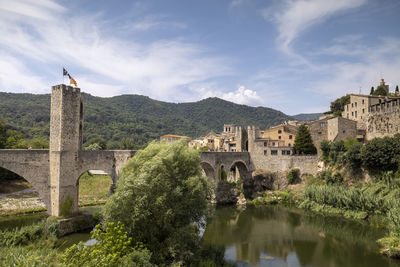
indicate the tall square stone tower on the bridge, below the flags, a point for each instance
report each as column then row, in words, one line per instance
column 66, row 118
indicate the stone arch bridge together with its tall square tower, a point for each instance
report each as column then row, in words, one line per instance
column 55, row 172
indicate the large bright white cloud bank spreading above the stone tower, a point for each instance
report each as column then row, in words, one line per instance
column 160, row 68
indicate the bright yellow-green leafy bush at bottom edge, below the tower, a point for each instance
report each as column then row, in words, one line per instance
column 112, row 248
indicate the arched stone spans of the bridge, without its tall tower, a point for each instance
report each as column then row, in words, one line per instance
column 34, row 166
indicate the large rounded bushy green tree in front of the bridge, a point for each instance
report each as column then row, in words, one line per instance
column 160, row 198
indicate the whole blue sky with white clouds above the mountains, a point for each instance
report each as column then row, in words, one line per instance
column 294, row 56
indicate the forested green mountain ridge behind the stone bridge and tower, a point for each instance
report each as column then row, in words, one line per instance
column 131, row 121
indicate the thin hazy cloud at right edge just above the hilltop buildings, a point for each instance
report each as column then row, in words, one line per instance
column 373, row 63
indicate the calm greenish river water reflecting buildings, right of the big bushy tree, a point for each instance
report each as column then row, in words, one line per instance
column 272, row 236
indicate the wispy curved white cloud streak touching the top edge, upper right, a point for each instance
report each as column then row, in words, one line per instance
column 295, row 16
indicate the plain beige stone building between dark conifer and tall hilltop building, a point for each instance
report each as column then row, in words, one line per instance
column 332, row 129
